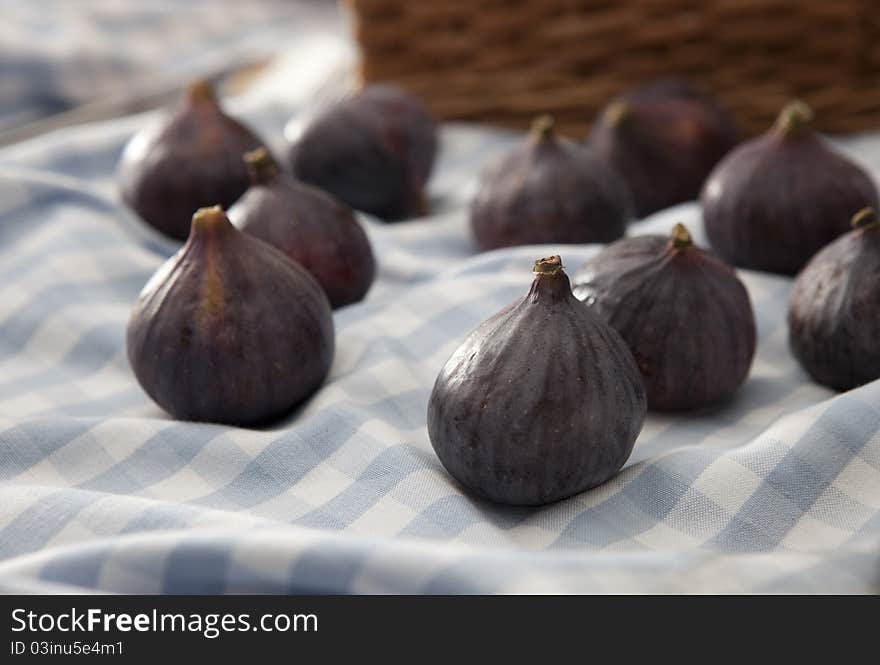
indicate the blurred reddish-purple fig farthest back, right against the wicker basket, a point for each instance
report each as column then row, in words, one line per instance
column 663, row 138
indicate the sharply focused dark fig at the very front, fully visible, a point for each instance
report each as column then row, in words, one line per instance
column 541, row 402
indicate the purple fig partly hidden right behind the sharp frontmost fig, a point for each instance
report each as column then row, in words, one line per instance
column 682, row 311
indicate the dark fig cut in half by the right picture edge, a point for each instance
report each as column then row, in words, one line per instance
column 832, row 314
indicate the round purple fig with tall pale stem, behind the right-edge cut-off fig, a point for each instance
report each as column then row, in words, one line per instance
column 776, row 200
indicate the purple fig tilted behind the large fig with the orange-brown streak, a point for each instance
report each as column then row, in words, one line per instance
column 309, row 226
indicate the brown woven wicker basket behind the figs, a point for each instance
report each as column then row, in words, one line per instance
column 504, row 61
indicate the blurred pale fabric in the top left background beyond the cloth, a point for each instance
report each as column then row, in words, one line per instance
column 56, row 54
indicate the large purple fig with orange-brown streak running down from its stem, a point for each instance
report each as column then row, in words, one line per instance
column 229, row 330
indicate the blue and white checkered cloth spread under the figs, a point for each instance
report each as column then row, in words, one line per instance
column 778, row 491
